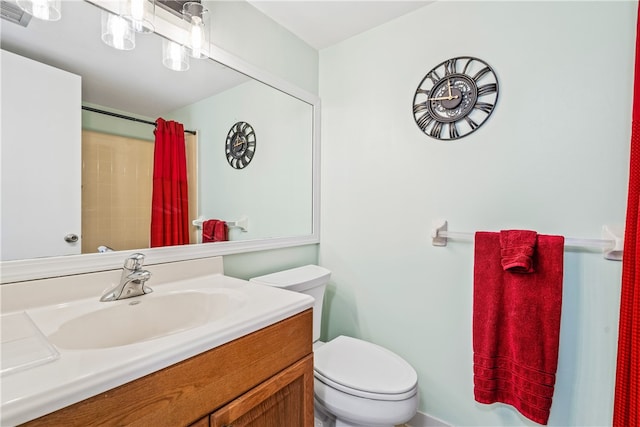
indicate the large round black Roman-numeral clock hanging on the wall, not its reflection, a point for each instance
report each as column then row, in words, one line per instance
column 455, row 98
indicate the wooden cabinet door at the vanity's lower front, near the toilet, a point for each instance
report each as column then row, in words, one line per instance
column 284, row 400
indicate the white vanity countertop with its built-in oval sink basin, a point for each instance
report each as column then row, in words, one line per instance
column 102, row 345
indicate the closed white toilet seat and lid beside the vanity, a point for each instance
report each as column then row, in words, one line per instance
column 364, row 369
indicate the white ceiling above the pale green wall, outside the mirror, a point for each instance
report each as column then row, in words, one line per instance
column 322, row 23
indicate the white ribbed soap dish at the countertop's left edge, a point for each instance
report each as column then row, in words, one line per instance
column 23, row 345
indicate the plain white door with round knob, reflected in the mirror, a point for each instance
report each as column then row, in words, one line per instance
column 40, row 160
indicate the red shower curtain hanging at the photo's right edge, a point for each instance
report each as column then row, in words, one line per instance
column 626, row 408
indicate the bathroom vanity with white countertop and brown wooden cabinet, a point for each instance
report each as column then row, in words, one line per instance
column 246, row 353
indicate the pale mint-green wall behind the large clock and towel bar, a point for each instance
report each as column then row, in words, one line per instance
column 553, row 157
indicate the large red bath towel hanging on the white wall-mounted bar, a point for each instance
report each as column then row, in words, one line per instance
column 516, row 326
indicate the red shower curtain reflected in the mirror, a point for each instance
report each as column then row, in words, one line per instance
column 169, row 204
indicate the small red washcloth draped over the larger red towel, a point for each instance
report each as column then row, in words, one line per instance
column 516, row 250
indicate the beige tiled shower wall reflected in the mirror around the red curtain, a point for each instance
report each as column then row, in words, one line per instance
column 117, row 182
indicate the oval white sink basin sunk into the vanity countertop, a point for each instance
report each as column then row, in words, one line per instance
column 143, row 318
